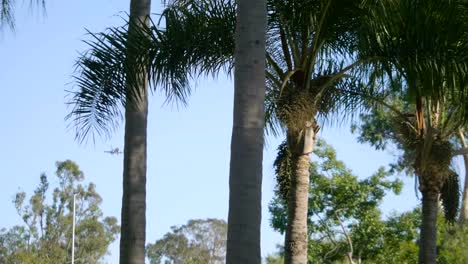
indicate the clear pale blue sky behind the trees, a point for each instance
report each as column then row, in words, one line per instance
column 188, row 148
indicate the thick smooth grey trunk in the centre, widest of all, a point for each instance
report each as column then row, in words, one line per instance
column 245, row 176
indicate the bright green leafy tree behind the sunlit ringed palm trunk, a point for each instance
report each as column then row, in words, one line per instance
column 340, row 203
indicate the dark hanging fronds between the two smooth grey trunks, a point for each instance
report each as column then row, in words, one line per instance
column 197, row 38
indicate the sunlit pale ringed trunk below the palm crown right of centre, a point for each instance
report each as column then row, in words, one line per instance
column 296, row 237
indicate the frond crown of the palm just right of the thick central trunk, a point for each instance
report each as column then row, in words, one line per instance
column 310, row 51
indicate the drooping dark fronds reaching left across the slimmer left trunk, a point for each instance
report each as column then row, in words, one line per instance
column 169, row 51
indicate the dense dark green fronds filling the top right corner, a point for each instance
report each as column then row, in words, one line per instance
column 433, row 62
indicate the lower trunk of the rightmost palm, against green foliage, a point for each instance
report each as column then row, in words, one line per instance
column 428, row 240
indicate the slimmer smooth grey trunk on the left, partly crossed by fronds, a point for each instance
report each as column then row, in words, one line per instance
column 132, row 238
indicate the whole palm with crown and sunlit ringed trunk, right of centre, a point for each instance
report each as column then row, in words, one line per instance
column 311, row 53
